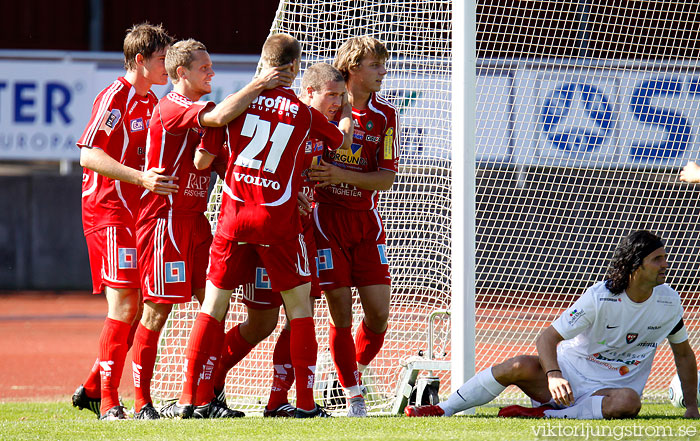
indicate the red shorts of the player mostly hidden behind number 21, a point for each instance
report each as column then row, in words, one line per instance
column 258, row 293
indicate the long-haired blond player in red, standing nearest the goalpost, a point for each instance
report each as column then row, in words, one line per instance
column 350, row 235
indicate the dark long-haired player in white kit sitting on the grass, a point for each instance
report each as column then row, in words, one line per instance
column 595, row 359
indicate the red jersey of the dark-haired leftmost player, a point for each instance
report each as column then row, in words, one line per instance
column 118, row 125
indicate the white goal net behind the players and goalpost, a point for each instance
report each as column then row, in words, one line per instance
column 585, row 113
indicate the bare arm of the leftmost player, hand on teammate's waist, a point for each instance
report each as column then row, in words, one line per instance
column 97, row 160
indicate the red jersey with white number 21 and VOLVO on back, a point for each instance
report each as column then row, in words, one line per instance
column 264, row 173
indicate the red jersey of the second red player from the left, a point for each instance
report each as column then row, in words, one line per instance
column 173, row 135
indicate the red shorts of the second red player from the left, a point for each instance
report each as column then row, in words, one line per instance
column 174, row 254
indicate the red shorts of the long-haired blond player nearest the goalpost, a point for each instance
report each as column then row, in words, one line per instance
column 351, row 247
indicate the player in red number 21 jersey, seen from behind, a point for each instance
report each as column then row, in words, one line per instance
column 259, row 220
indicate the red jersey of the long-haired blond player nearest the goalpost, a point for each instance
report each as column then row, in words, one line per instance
column 375, row 146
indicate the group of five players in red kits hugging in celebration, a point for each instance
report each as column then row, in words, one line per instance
column 147, row 171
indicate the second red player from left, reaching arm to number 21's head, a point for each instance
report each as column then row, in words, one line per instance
column 173, row 234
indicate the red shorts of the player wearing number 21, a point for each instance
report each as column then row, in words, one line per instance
column 231, row 263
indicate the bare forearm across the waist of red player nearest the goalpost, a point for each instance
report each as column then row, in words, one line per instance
column 326, row 174
